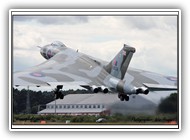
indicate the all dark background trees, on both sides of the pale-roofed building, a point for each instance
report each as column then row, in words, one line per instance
column 36, row 98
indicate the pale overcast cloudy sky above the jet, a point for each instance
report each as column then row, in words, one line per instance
column 154, row 37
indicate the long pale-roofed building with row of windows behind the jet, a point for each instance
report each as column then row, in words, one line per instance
column 79, row 104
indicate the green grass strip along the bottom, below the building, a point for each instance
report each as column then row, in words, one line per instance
column 117, row 119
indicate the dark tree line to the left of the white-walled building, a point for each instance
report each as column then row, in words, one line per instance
column 35, row 98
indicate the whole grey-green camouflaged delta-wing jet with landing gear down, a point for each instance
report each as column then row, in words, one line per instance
column 65, row 66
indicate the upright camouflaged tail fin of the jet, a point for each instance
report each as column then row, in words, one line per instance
column 118, row 66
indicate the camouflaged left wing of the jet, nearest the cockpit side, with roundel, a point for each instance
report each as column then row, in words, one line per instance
column 66, row 67
